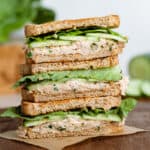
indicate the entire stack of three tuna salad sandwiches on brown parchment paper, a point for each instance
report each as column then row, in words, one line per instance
column 72, row 84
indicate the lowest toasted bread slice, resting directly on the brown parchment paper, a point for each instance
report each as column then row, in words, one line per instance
column 105, row 128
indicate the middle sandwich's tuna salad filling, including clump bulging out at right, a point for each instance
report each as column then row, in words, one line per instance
column 76, row 85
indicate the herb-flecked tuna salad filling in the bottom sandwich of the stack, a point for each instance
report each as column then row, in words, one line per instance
column 70, row 124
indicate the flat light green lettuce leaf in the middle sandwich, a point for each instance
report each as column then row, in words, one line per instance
column 105, row 74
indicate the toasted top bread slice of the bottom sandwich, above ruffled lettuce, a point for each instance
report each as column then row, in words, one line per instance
column 33, row 109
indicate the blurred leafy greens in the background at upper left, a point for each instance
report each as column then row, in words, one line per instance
column 15, row 13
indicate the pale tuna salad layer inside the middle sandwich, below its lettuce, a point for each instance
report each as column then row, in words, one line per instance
column 71, row 85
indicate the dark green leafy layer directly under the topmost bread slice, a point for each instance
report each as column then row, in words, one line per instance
column 77, row 32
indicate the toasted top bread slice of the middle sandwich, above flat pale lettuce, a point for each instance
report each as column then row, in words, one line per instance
column 28, row 69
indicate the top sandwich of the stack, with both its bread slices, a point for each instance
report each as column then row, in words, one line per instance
column 73, row 40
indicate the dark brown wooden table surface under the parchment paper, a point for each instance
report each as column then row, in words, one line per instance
column 140, row 118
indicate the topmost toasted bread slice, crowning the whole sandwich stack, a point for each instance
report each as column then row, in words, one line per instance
column 110, row 21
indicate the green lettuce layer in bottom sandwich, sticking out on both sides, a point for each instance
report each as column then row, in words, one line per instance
column 114, row 114
